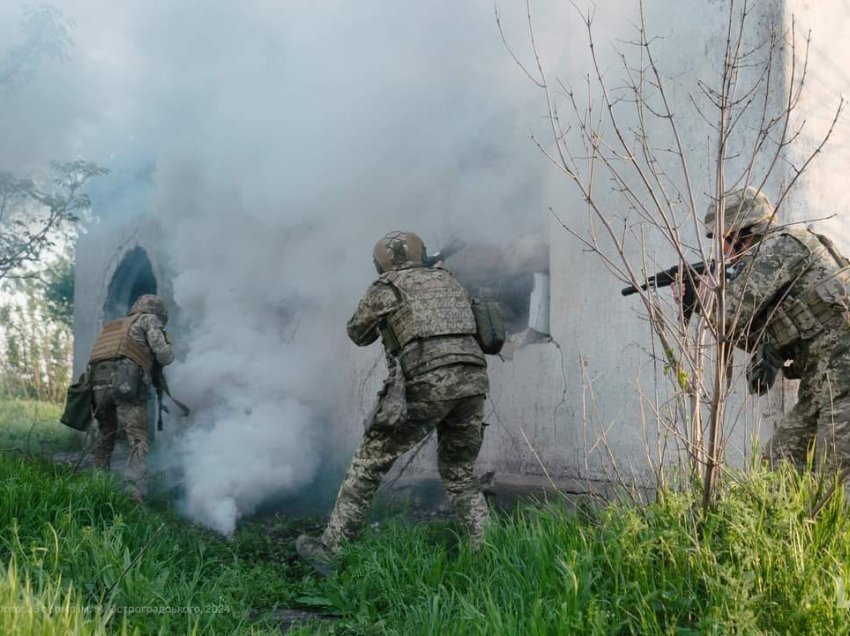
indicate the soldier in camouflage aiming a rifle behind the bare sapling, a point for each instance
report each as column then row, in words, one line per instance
column 788, row 287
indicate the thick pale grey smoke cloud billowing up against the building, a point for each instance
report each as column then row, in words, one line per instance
column 275, row 142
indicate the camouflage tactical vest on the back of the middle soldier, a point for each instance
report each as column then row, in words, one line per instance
column 433, row 304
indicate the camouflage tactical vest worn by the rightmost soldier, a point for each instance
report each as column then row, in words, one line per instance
column 817, row 299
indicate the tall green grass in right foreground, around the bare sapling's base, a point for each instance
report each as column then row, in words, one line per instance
column 760, row 563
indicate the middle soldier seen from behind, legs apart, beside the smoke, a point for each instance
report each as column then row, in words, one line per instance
column 438, row 379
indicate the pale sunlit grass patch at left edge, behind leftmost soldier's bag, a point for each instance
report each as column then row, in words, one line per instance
column 33, row 427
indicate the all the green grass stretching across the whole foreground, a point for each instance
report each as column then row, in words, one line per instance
column 78, row 557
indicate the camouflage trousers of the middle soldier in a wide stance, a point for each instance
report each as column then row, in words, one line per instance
column 459, row 424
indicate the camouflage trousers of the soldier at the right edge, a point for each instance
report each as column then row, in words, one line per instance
column 821, row 416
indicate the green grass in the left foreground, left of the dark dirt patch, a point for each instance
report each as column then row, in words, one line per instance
column 95, row 558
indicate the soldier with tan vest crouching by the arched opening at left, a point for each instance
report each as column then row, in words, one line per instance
column 120, row 368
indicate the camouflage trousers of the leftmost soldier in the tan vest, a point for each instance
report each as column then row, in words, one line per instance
column 132, row 418
